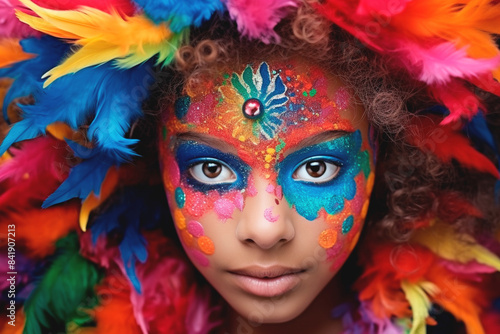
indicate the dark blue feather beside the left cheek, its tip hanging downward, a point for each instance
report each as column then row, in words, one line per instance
column 140, row 207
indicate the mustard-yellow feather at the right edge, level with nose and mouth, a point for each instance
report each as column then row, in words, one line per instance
column 445, row 242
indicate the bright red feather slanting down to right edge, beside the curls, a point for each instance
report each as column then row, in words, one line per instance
column 447, row 144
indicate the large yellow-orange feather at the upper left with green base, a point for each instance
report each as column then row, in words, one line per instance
column 103, row 37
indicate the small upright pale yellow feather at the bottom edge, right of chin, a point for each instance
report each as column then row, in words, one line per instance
column 416, row 294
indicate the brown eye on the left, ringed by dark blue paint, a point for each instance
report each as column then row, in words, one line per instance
column 212, row 172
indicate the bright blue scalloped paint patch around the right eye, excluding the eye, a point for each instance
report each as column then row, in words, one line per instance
column 308, row 197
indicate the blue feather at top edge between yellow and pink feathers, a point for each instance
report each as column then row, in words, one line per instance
column 182, row 14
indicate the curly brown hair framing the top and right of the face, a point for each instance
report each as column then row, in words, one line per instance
column 411, row 186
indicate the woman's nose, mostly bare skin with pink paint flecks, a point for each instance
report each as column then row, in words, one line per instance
column 263, row 222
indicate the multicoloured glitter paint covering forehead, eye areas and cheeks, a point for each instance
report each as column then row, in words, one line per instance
column 296, row 105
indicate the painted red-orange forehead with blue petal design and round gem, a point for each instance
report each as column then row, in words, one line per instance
column 293, row 100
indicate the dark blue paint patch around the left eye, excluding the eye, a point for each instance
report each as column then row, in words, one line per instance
column 190, row 153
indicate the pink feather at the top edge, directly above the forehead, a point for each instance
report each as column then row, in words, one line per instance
column 257, row 18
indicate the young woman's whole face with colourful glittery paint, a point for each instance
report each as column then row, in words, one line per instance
column 268, row 170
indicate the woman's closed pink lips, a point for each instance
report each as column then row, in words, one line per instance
column 267, row 281
